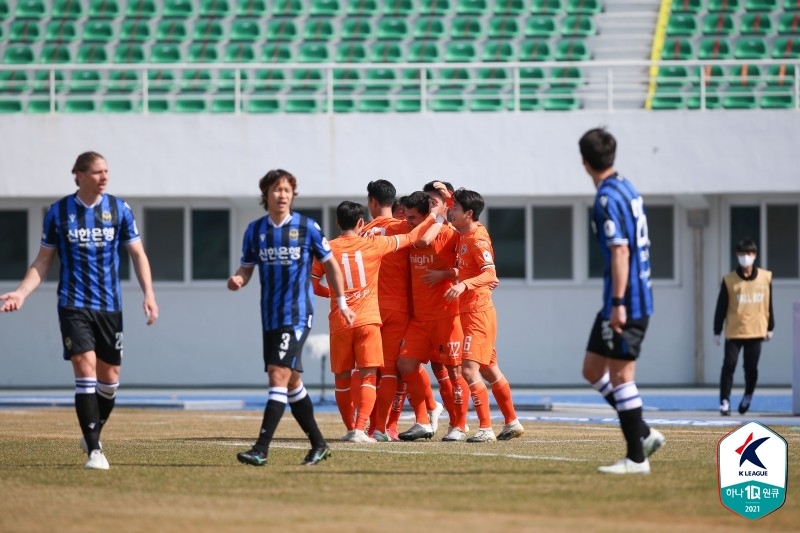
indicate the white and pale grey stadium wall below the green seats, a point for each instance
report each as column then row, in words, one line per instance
column 209, row 336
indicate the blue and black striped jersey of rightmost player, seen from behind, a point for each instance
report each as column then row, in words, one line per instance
column 619, row 218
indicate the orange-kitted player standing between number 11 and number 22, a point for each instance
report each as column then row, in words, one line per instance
column 394, row 297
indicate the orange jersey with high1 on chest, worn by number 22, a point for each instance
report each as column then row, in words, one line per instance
column 428, row 301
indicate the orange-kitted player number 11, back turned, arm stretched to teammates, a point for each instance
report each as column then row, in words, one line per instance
column 359, row 346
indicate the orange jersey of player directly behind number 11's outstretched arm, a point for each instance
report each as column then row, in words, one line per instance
column 394, row 282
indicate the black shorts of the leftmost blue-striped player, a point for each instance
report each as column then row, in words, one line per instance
column 85, row 330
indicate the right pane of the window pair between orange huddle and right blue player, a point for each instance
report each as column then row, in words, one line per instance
column 552, row 243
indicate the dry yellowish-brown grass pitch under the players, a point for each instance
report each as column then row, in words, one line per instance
column 177, row 471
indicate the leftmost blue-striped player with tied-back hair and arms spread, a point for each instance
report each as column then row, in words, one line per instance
column 87, row 229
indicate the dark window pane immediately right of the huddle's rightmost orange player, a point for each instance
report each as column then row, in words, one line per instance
column 507, row 229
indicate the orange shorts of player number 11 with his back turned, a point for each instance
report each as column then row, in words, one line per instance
column 358, row 347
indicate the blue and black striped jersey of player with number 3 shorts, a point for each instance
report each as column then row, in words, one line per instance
column 284, row 255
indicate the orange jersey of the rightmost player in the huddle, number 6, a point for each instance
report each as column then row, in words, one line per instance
column 475, row 258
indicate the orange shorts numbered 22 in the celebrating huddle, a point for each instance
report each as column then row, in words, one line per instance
column 442, row 337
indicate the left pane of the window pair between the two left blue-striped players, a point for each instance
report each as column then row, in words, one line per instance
column 164, row 242
